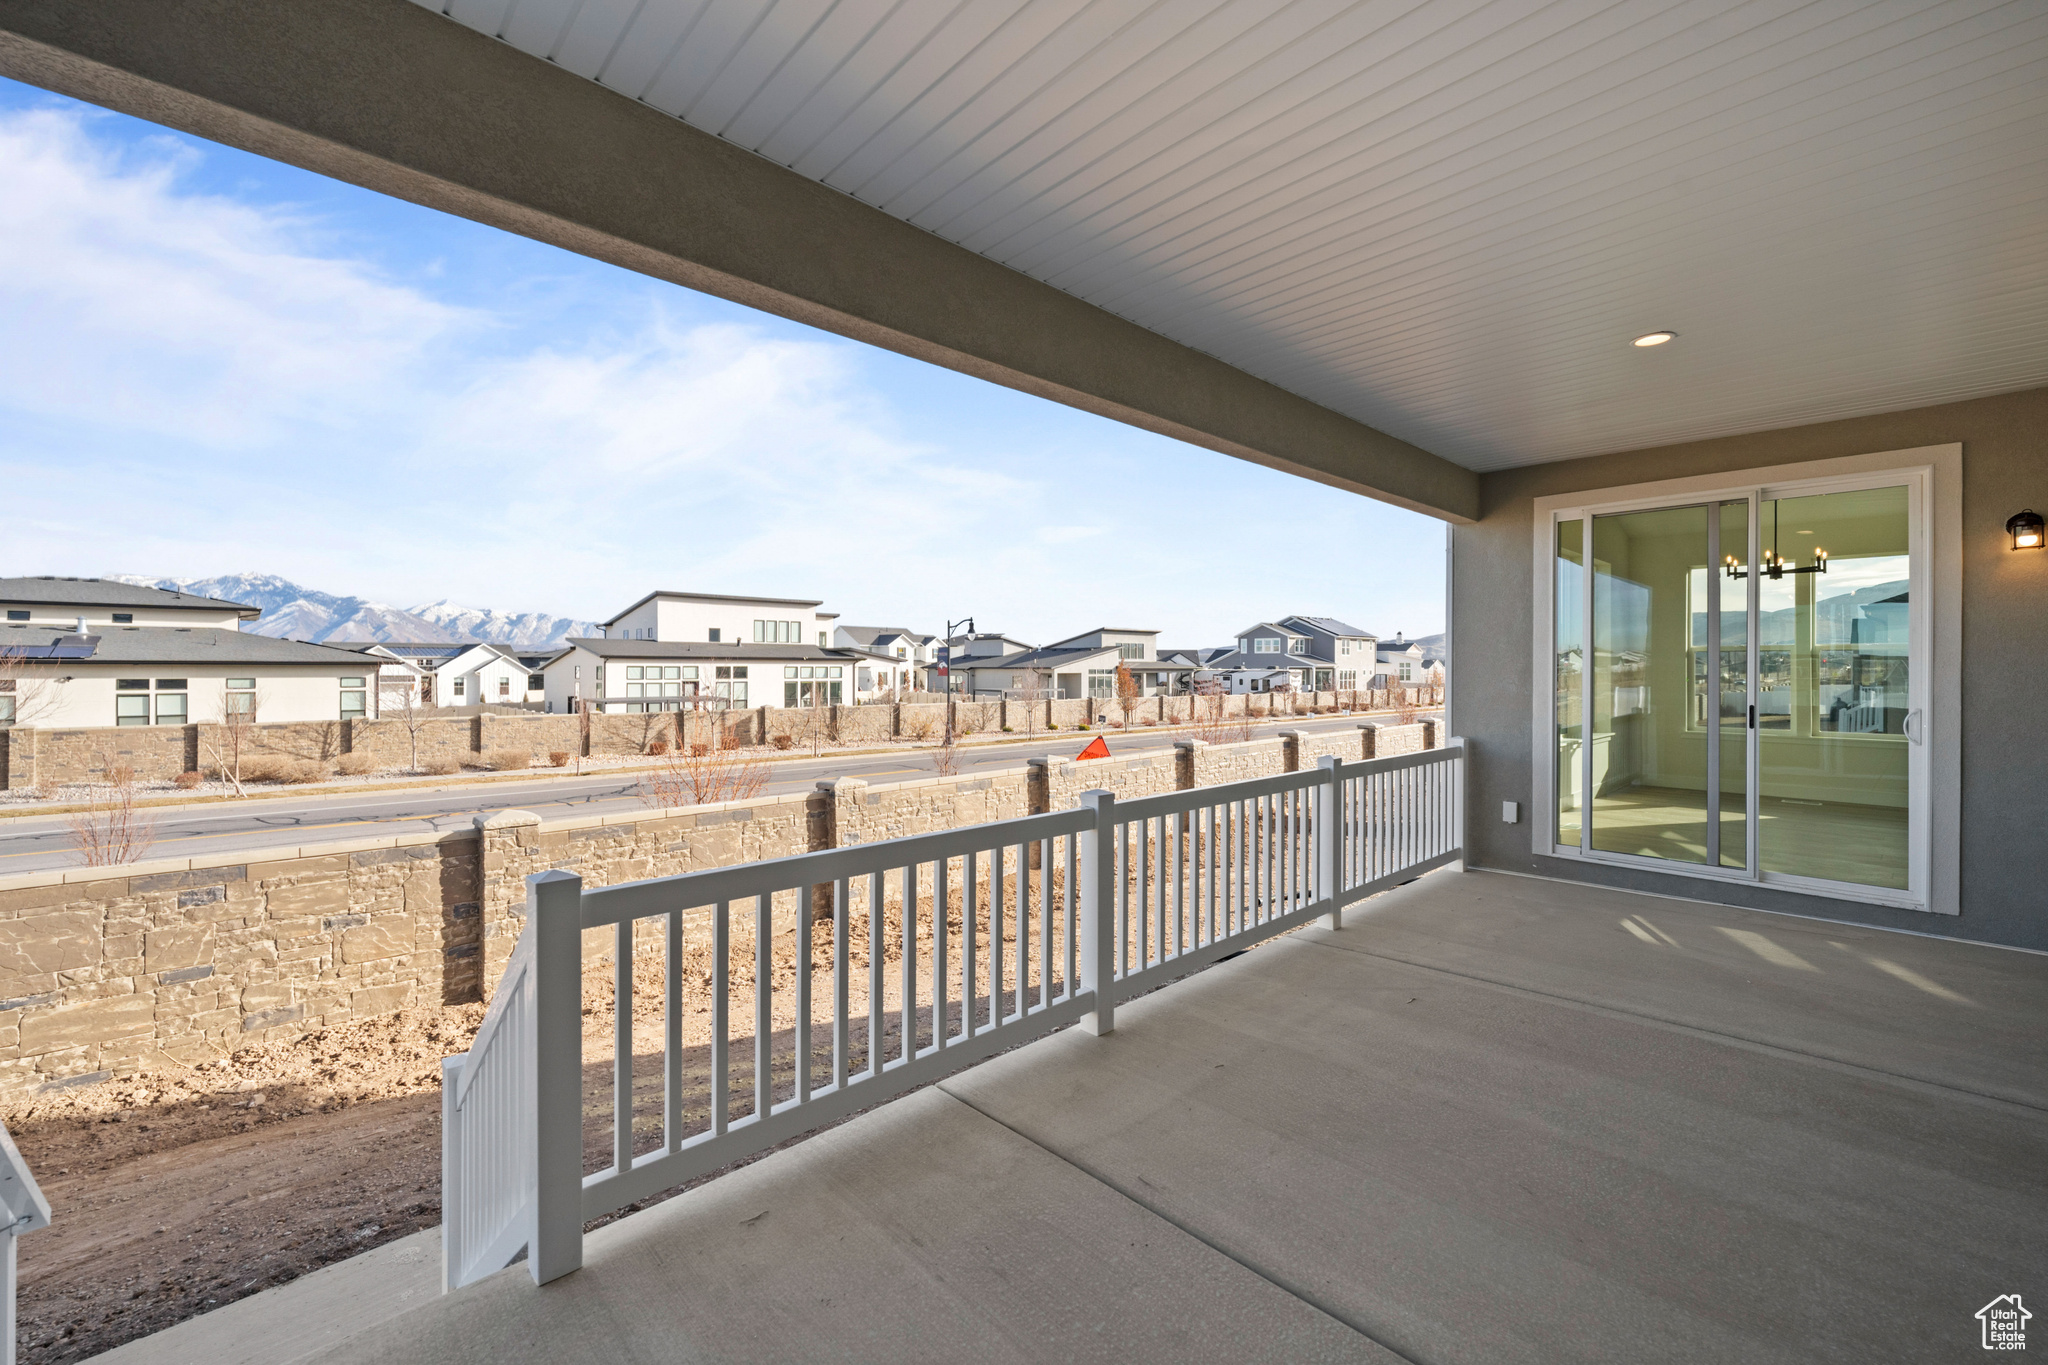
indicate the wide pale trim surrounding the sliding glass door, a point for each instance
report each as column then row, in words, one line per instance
column 1938, row 470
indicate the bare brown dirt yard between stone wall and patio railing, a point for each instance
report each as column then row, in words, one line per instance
column 191, row 1188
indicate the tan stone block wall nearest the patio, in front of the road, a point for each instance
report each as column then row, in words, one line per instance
column 103, row 969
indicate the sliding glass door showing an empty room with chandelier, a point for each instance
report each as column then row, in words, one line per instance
column 1734, row 685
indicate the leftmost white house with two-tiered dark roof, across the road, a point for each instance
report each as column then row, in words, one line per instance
column 89, row 654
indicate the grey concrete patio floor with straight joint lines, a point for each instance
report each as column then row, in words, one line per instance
column 1490, row 1120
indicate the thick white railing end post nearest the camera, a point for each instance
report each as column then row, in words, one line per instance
column 556, row 918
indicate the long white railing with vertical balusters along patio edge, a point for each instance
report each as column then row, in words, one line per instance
column 802, row 989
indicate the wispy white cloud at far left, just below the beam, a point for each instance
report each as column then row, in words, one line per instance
column 173, row 312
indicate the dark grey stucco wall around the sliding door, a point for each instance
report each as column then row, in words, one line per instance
column 2004, row 644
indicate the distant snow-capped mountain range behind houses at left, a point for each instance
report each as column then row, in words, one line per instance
column 310, row 615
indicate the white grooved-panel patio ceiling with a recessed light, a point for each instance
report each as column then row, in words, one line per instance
column 1441, row 218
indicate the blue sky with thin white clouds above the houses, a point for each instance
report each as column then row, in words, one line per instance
column 212, row 363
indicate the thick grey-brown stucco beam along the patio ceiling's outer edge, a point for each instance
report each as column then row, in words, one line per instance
column 402, row 101
